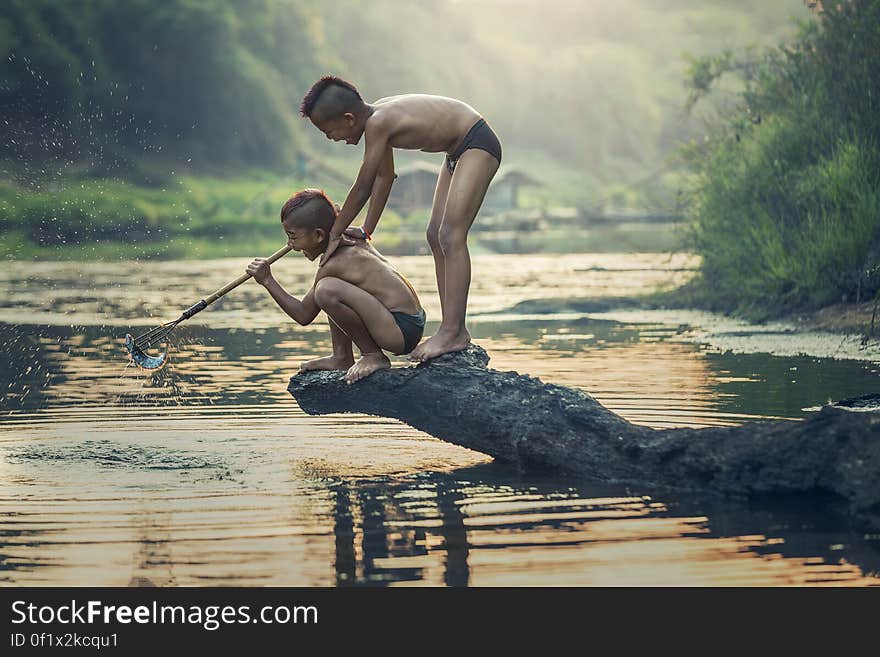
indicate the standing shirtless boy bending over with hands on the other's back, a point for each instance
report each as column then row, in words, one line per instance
column 433, row 124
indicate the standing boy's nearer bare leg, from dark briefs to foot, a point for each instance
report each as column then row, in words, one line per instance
column 473, row 173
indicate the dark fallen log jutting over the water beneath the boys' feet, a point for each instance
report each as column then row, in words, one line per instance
column 538, row 426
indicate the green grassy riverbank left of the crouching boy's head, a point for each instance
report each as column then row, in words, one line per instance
column 86, row 219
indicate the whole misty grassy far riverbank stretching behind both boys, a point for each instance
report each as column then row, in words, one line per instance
column 167, row 214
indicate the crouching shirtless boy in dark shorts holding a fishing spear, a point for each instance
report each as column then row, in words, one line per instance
column 366, row 299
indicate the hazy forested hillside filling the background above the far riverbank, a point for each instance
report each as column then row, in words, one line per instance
column 154, row 93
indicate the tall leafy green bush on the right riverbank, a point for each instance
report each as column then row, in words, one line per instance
column 786, row 198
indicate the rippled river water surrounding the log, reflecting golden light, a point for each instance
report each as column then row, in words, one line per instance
column 208, row 473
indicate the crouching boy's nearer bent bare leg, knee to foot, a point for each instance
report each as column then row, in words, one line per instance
column 364, row 319
